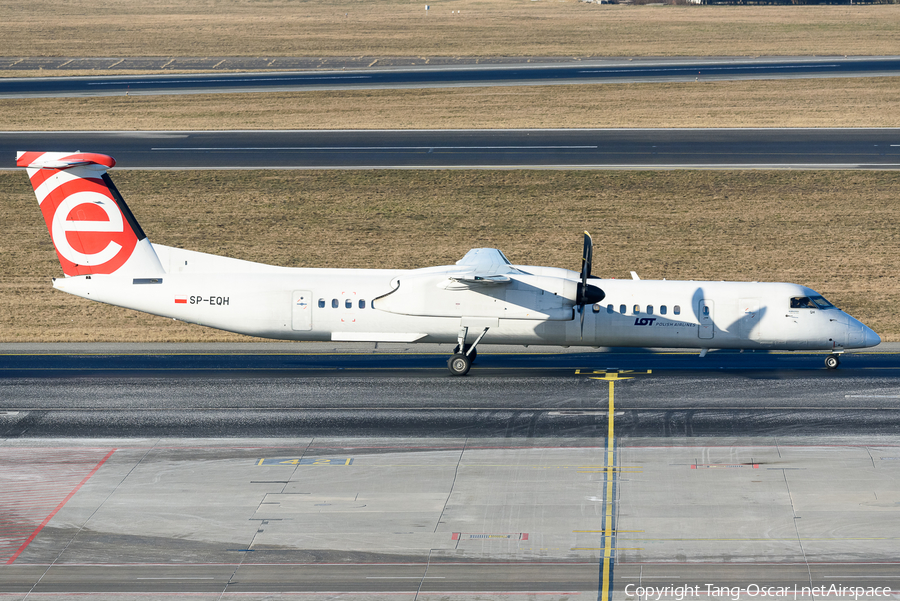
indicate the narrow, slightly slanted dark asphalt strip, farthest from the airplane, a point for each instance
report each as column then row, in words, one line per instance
column 590, row 71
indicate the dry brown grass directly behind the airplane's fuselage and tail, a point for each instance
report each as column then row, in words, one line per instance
column 834, row 231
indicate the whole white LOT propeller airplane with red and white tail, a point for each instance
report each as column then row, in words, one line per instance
column 107, row 257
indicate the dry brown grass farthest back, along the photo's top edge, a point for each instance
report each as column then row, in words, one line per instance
column 402, row 28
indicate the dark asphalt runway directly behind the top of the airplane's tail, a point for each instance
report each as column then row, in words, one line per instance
column 845, row 148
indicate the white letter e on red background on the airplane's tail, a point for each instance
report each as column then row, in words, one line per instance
column 87, row 226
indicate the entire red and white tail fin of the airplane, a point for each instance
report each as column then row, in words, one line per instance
column 92, row 228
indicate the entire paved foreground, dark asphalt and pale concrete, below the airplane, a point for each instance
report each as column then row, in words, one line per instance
column 282, row 470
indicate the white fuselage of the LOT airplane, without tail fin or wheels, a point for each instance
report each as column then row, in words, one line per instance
column 427, row 305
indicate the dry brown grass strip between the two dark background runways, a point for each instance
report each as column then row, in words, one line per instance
column 852, row 102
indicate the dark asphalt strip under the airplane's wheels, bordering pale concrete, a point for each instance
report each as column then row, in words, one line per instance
column 411, row 394
